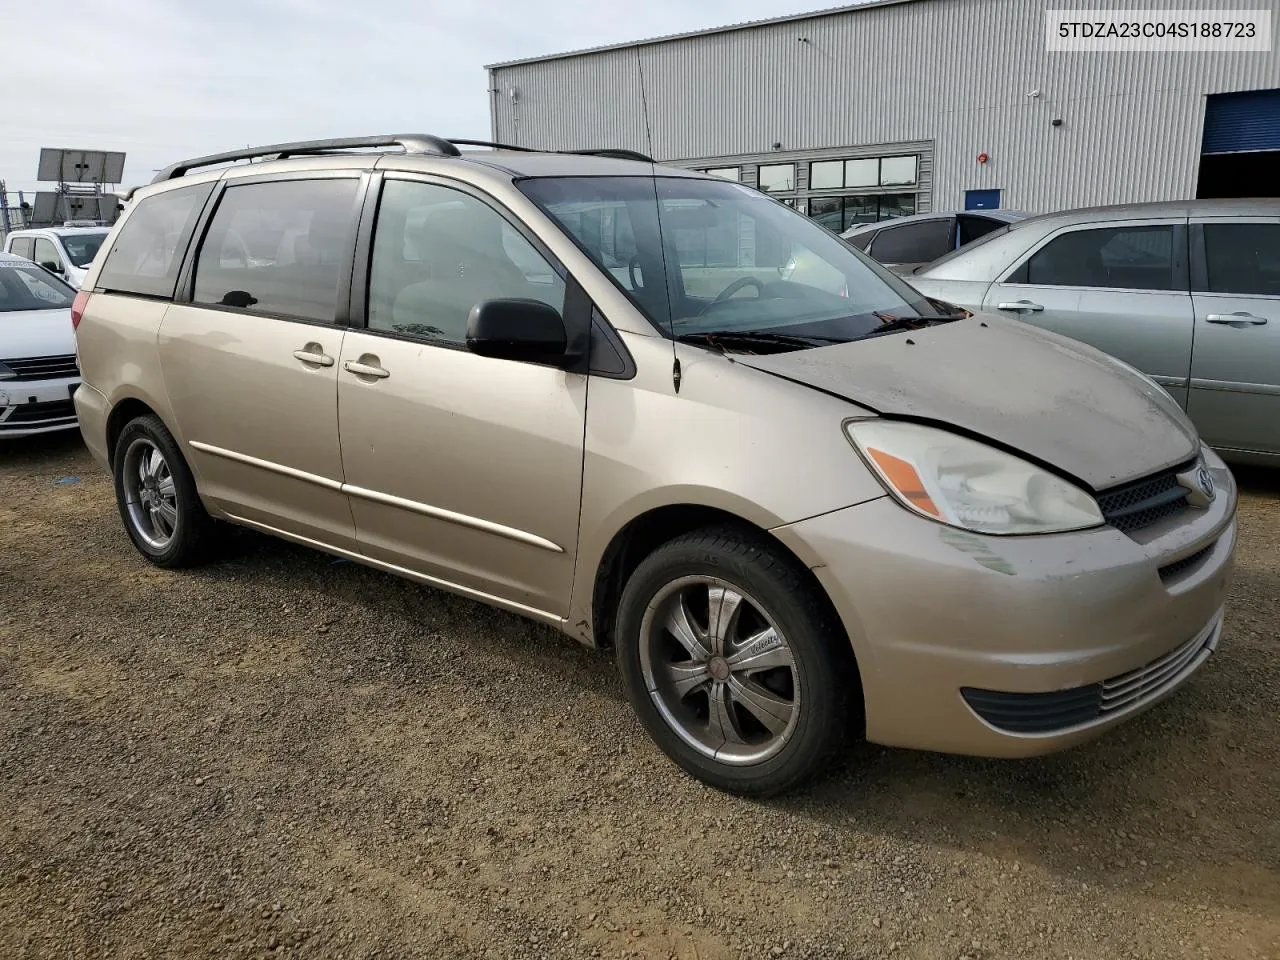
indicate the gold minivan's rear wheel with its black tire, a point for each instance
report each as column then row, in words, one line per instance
column 157, row 496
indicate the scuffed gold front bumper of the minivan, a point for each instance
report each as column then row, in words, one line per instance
column 1020, row 646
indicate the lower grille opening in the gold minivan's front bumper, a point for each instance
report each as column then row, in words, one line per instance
column 1062, row 710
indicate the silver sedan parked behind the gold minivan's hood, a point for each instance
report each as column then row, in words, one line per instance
column 1186, row 292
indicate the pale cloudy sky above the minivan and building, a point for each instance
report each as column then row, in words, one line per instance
column 168, row 80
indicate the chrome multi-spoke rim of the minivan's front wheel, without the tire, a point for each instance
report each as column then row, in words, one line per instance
column 719, row 670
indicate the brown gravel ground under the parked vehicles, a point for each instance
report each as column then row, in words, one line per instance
column 282, row 756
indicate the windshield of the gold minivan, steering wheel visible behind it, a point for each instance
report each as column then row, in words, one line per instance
column 701, row 257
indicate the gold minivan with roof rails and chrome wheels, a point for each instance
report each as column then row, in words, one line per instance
column 580, row 387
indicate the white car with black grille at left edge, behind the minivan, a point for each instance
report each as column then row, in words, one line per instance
column 39, row 372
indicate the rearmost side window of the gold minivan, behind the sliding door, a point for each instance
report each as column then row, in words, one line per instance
column 149, row 249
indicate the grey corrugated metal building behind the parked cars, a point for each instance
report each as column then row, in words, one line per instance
column 941, row 80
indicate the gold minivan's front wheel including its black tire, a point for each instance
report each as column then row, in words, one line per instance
column 735, row 662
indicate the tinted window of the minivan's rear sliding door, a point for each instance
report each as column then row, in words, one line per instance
column 280, row 248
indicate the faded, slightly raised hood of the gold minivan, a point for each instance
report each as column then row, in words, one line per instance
column 1055, row 400
